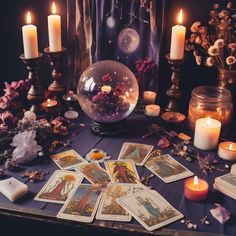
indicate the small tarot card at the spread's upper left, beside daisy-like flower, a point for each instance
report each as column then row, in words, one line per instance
column 67, row 160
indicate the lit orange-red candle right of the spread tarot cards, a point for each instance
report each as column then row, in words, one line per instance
column 195, row 189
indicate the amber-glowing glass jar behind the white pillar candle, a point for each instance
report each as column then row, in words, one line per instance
column 211, row 101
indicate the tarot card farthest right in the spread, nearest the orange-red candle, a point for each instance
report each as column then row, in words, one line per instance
column 166, row 168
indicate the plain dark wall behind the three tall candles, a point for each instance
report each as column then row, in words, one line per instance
column 13, row 16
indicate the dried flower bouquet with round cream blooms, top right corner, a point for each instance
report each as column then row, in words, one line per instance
column 215, row 45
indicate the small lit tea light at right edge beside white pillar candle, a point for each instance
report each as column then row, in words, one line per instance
column 227, row 151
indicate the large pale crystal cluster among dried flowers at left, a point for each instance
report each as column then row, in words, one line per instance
column 26, row 148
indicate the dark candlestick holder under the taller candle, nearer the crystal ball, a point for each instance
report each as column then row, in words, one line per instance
column 56, row 61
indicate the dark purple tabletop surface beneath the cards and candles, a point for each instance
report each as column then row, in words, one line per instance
column 173, row 192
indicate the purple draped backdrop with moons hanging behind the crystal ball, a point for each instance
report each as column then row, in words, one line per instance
column 122, row 30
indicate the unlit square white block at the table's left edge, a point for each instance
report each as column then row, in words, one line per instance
column 13, row 189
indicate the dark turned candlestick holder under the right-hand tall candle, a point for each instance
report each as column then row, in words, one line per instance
column 174, row 93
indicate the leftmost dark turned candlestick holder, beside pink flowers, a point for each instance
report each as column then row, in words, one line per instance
column 35, row 93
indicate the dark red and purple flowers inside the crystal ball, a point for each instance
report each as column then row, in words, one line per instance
column 112, row 100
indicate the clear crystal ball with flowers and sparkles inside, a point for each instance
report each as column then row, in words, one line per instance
column 107, row 91
